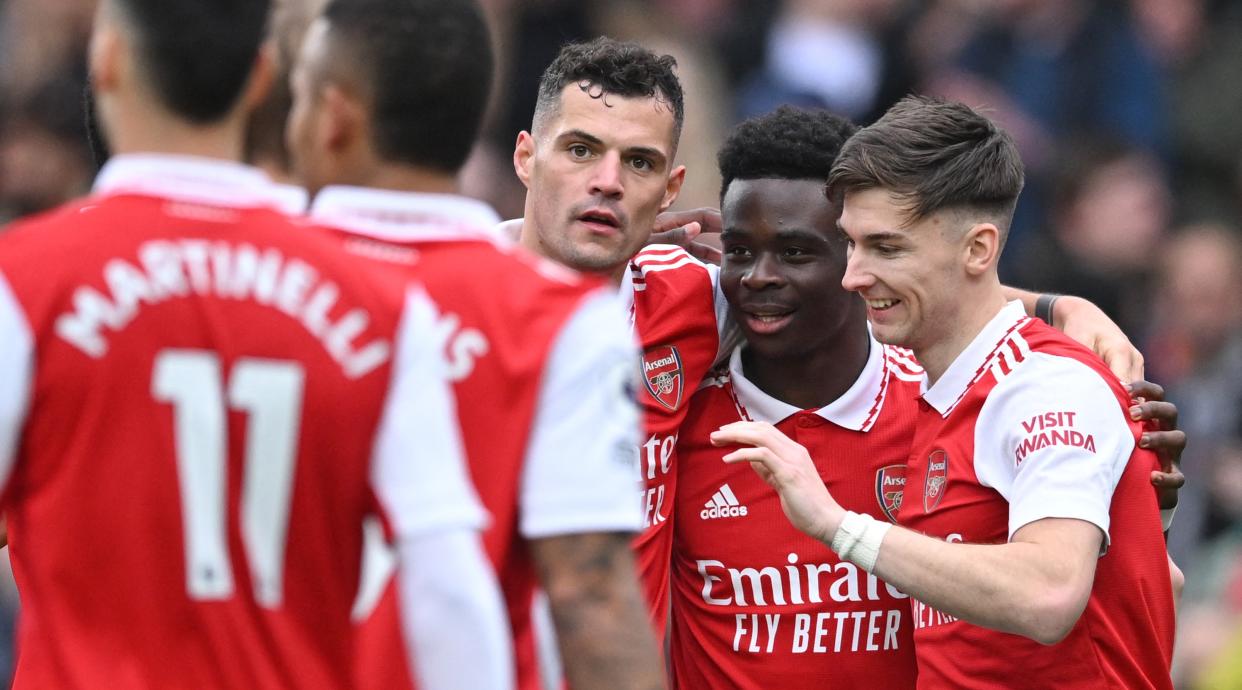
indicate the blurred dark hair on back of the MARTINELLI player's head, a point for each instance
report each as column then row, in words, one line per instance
column 198, row 55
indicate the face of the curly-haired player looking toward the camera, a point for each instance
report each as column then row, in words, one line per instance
column 598, row 173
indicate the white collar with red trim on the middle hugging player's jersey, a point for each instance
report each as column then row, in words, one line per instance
column 858, row 409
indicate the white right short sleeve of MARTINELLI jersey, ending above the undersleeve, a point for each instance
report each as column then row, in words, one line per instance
column 419, row 466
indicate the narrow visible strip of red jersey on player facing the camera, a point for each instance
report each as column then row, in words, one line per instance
column 678, row 315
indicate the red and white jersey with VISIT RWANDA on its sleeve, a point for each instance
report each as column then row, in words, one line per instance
column 1028, row 425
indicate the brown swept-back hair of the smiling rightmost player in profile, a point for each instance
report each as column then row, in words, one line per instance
column 933, row 156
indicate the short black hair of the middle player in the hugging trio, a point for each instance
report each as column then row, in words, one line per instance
column 787, row 145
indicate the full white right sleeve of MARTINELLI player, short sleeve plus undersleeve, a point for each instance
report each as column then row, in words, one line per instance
column 451, row 606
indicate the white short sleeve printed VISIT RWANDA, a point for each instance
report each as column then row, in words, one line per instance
column 1054, row 441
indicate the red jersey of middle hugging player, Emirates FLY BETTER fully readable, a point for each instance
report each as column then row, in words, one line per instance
column 757, row 604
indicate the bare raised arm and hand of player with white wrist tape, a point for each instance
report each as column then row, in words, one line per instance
column 1036, row 585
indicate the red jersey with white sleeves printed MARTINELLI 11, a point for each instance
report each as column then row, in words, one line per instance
column 197, row 415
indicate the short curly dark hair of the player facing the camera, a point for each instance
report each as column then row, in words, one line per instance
column 613, row 68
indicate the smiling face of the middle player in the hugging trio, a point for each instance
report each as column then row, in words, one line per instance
column 784, row 260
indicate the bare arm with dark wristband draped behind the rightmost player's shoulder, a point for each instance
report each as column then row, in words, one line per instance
column 1089, row 325
